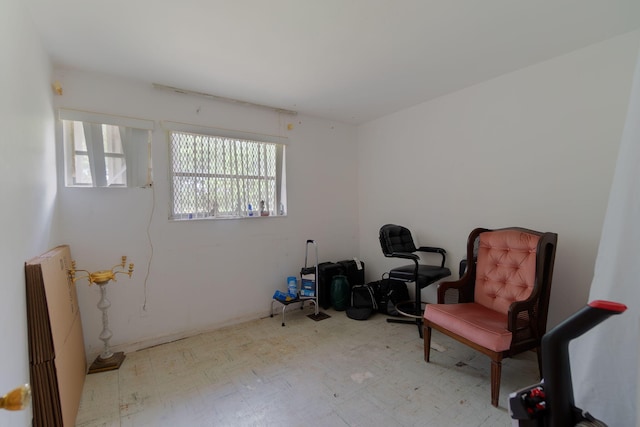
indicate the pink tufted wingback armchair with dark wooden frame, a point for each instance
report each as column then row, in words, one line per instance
column 499, row 306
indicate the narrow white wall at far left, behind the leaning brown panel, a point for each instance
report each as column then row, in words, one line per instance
column 28, row 189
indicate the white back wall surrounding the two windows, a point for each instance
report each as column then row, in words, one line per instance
column 202, row 274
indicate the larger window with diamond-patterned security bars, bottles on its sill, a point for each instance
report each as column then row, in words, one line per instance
column 223, row 177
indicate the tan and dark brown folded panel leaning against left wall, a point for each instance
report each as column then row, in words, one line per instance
column 57, row 356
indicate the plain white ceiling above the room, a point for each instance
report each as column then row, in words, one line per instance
column 345, row 60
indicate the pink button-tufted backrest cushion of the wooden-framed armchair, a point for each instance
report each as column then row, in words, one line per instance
column 506, row 268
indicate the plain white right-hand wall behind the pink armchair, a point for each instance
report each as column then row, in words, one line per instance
column 535, row 148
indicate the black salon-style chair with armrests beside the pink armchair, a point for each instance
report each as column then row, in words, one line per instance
column 396, row 242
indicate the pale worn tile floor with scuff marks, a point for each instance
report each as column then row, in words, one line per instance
column 334, row 372
